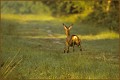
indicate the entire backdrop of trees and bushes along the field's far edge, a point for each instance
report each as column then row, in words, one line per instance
column 102, row 13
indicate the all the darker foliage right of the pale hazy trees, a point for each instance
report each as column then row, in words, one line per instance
column 102, row 13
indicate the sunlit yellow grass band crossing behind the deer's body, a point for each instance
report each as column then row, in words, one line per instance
column 102, row 35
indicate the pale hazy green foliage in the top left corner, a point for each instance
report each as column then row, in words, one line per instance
column 24, row 7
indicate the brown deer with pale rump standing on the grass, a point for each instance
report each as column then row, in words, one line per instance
column 71, row 40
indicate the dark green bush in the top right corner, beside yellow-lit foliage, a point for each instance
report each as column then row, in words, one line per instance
column 101, row 17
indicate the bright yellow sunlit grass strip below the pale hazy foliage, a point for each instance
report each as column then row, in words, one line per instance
column 26, row 17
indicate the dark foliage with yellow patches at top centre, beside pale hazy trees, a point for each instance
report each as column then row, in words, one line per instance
column 68, row 7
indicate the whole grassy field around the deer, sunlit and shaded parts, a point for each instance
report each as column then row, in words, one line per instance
column 38, row 41
